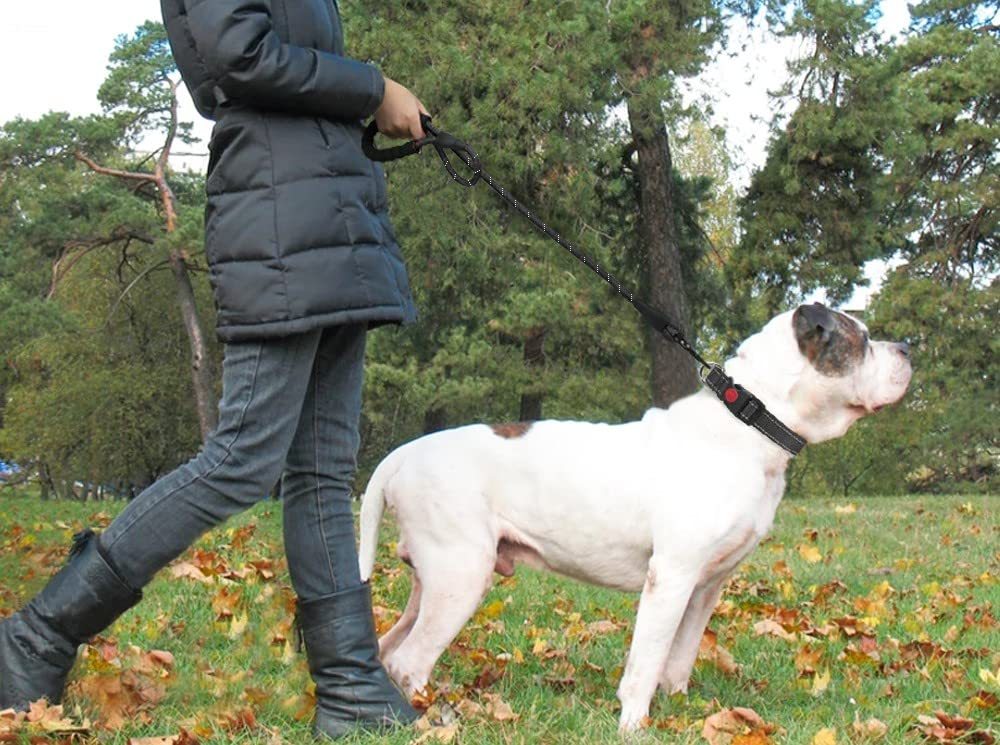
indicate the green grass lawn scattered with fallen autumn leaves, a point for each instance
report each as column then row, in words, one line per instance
column 889, row 611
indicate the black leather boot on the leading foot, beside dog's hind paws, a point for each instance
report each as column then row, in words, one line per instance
column 353, row 690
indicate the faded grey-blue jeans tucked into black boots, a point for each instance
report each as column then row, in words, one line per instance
column 289, row 410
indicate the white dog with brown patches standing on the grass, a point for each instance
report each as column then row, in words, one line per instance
column 668, row 505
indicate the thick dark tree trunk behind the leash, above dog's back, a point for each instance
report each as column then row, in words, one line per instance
column 674, row 372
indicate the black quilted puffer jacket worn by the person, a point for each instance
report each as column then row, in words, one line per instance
column 297, row 232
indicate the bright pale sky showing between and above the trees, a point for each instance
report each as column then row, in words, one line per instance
column 54, row 56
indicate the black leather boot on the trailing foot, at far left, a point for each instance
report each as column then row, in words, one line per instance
column 38, row 643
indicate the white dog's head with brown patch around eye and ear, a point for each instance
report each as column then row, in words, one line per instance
column 821, row 370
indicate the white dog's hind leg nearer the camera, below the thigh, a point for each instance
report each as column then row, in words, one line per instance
column 449, row 596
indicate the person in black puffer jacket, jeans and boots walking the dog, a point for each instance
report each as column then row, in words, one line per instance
column 302, row 261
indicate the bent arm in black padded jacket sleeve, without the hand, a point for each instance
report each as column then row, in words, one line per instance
column 238, row 45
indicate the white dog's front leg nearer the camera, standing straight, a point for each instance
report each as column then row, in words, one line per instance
column 661, row 608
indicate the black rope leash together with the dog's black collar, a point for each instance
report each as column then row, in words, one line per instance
column 744, row 405
